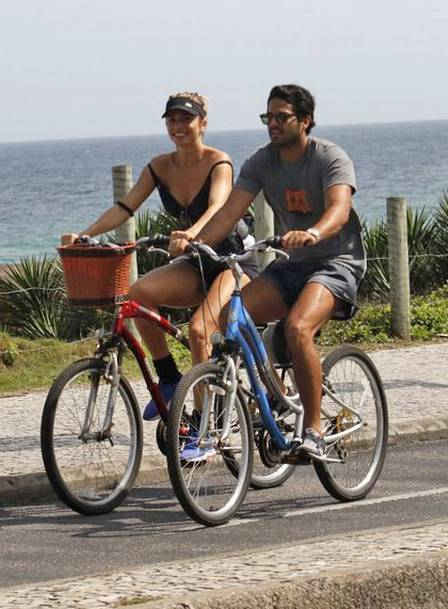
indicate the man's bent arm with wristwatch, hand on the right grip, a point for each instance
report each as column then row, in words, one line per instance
column 338, row 200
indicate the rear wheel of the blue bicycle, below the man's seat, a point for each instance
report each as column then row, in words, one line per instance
column 355, row 461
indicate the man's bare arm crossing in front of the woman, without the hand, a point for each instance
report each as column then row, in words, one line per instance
column 222, row 223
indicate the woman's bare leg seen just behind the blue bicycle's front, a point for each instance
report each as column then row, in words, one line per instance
column 205, row 320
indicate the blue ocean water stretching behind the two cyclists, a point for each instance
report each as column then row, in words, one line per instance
column 52, row 187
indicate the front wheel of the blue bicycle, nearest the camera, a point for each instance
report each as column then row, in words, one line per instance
column 198, row 466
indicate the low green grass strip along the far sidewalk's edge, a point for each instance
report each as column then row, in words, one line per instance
column 27, row 365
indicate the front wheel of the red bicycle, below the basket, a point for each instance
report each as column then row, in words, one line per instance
column 90, row 469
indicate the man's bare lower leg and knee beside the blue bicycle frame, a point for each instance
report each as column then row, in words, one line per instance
column 313, row 308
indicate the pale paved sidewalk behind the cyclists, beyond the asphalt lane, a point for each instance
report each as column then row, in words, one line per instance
column 415, row 380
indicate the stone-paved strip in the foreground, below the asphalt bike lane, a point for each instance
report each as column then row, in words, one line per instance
column 383, row 565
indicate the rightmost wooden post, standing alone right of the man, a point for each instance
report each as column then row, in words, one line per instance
column 399, row 267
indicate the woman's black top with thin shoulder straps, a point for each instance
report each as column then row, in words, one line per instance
column 190, row 215
